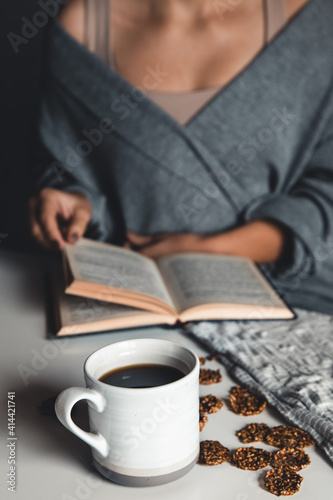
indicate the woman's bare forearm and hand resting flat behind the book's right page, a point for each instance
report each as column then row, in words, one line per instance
column 261, row 241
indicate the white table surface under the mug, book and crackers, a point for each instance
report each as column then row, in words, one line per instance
column 54, row 464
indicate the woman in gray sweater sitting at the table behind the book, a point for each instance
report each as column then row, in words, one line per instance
column 193, row 126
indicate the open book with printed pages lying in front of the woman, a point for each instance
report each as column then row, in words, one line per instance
column 109, row 287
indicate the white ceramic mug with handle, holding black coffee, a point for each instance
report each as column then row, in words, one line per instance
column 139, row 436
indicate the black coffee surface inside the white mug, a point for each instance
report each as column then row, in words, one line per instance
column 142, row 376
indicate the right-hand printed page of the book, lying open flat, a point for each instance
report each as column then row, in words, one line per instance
column 198, row 279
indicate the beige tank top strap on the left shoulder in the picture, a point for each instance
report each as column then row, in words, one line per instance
column 96, row 28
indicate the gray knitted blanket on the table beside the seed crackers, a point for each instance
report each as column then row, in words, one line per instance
column 290, row 363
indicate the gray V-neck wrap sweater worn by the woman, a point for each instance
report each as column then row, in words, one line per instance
column 262, row 148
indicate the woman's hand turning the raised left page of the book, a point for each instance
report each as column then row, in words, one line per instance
column 57, row 217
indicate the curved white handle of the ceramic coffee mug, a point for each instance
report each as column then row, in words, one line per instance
column 63, row 408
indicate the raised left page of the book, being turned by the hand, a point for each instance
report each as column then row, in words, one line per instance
column 112, row 266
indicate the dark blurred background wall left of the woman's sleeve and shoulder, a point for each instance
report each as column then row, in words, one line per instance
column 20, row 83
